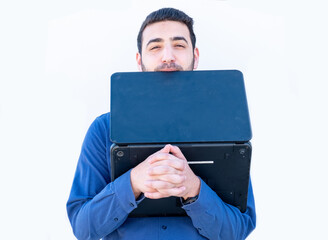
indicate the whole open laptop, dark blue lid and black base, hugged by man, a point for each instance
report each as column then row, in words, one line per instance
column 205, row 113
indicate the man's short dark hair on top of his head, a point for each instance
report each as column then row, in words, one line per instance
column 167, row 14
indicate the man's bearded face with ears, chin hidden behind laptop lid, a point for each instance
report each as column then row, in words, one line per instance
column 166, row 46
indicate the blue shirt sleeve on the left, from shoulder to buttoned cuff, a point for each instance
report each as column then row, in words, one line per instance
column 96, row 206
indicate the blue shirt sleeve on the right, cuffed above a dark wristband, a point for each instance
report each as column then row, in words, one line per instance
column 215, row 219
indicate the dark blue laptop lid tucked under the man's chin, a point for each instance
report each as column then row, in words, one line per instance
column 179, row 107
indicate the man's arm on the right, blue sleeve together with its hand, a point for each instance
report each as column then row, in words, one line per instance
column 213, row 218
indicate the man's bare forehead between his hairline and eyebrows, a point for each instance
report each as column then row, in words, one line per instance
column 165, row 30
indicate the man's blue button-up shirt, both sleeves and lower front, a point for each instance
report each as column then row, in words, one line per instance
column 98, row 208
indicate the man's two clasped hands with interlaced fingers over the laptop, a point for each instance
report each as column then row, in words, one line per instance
column 163, row 174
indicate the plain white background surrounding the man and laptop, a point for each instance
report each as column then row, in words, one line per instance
column 56, row 58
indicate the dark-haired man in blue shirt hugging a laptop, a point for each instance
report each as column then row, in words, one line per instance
column 98, row 208
